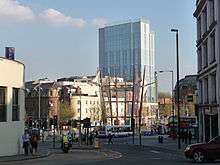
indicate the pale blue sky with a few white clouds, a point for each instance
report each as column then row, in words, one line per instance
column 59, row 38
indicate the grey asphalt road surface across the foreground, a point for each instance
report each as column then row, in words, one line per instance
column 124, row 154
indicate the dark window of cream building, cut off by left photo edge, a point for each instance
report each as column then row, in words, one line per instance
column 3, row 110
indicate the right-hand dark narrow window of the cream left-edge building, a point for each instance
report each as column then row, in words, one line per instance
column 15, row 105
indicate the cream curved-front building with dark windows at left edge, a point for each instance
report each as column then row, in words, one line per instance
column 11, row 106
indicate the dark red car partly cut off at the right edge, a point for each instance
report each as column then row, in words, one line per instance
column 201, row 152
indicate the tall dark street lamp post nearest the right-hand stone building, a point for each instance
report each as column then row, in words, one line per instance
column 177, row 84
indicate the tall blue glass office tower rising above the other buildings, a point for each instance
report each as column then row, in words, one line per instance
column 126, row 47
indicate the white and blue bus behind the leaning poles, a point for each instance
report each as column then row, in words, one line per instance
column 116, row 130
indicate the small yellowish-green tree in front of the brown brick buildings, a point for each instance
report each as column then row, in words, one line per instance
column 66, row 112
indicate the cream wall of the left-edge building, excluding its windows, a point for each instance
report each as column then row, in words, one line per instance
column 12, row 76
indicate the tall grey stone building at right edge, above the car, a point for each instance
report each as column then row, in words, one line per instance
column 207, row 14
